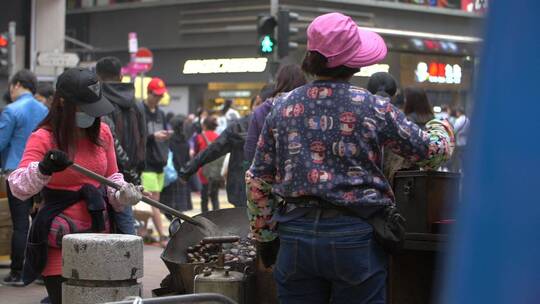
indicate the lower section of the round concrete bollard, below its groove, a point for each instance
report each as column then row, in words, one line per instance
column 92, row 295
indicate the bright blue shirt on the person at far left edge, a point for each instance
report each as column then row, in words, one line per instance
column 17, row 122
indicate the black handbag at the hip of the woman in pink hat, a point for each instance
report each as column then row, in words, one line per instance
column 389, row 229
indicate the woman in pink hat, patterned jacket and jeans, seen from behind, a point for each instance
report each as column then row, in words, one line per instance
column 323, row 163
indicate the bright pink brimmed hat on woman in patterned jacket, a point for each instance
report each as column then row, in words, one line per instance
column 342, row 42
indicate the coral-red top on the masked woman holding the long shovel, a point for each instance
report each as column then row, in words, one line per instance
column 101, row 160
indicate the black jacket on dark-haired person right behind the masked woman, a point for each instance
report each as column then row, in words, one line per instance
column 127, row 124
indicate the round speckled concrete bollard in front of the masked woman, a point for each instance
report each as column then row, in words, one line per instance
column 101, row 267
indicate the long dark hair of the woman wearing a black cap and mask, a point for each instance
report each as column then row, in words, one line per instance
column 61, row 122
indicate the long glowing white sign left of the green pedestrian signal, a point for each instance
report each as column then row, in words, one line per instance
column 225, row 65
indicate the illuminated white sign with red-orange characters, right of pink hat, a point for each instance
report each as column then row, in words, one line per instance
column 437, row 72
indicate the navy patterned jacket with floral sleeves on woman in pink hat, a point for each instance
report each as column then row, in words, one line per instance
column 324, row 139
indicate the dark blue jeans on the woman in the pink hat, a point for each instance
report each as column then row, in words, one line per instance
column 332, row 260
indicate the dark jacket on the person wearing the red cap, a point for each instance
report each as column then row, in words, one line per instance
column 156, row 152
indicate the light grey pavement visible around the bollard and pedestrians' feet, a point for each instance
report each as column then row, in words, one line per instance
column 154, row 270
